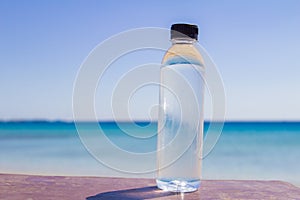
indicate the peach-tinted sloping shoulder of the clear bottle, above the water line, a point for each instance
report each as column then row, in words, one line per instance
column 183, row 53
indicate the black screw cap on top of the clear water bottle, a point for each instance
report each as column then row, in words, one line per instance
column 184, row 31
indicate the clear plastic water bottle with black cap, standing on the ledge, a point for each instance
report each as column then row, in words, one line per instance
column 180, row 123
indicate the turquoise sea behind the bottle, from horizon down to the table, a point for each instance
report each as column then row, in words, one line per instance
column 245, row 150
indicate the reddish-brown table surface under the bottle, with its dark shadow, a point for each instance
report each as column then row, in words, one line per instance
column 29, row 187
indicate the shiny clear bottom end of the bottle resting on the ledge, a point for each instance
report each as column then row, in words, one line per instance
column 174, row 185
